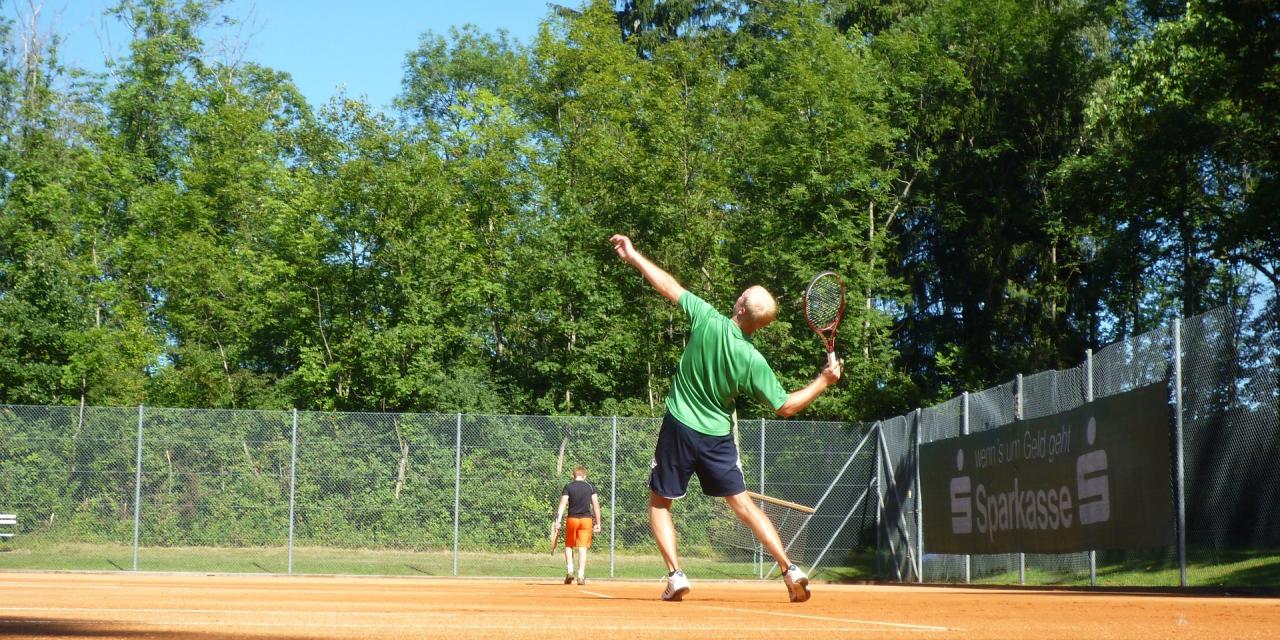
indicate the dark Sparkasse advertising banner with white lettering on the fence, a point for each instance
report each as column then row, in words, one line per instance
column 1092, row 478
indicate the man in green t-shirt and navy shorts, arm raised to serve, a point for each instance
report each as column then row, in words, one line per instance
column 719, row 364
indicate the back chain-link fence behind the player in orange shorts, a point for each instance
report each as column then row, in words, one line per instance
column 390, row 493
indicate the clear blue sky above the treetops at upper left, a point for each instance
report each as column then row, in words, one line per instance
column 323, row 44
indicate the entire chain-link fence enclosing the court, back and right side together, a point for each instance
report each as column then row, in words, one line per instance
column 459, row 495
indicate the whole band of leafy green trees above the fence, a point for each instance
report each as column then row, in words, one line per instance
column 1003, row 185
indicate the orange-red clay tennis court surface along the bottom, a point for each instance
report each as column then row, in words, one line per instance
column 222, row 606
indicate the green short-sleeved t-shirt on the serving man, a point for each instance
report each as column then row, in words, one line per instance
column 719, row 364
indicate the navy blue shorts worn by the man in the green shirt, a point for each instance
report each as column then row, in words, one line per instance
column 683, row 452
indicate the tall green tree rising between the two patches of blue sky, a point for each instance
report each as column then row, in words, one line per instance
column 209, row 204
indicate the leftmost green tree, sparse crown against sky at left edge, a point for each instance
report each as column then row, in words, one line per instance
column 71, row 332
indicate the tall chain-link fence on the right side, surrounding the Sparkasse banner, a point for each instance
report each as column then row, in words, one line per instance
column 1223, row 371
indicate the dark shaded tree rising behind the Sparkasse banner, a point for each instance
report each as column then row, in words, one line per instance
column 991, row 263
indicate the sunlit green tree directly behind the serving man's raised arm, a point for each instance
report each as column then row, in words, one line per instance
column 633, row 148
